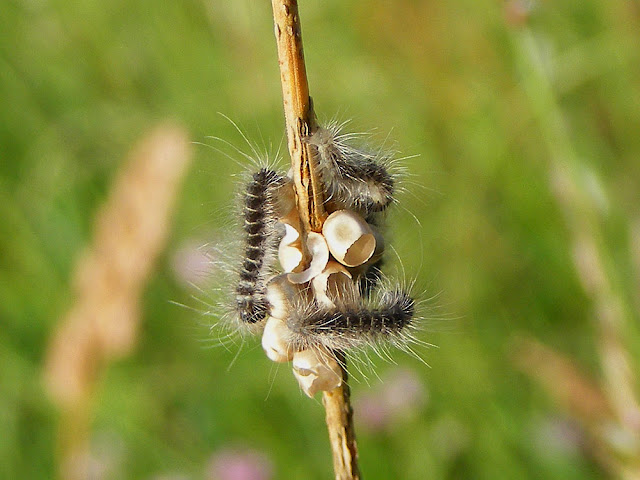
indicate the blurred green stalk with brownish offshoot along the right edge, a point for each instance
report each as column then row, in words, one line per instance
column 615, row 429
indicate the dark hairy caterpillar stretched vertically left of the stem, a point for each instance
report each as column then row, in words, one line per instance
column 259, row 209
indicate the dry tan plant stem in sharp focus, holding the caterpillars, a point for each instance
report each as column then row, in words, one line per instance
column 300, row 122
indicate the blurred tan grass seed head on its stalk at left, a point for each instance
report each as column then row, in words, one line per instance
column 129, row 232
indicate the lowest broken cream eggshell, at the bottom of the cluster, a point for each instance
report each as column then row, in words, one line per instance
column 316, row 371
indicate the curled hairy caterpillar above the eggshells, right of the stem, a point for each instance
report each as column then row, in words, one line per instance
column 355, row 178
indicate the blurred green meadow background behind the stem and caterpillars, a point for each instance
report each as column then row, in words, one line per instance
column 493, row 99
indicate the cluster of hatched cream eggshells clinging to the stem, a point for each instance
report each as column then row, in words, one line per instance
column 351, row 241
